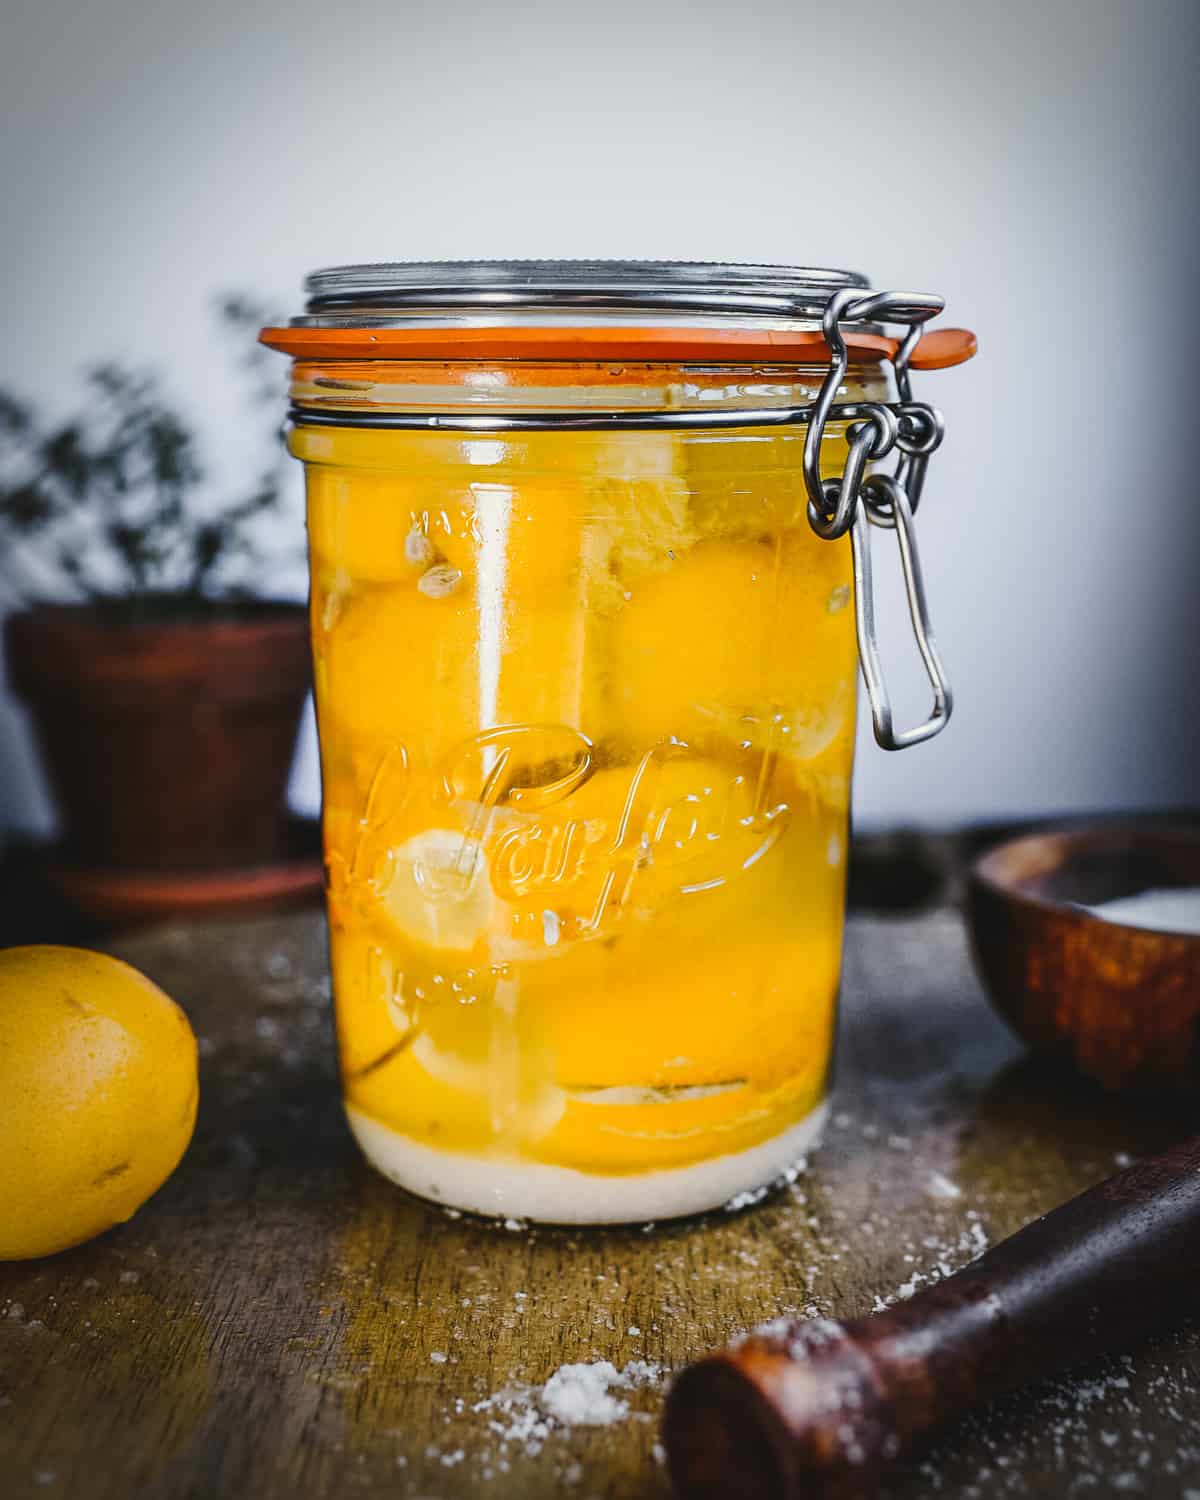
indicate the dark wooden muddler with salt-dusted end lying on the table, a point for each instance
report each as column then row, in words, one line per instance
column 818, row 1409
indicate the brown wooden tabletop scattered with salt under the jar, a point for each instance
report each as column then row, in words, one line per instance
column 280, row 1322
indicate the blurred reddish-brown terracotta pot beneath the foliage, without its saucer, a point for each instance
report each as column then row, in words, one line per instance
column 167, row 743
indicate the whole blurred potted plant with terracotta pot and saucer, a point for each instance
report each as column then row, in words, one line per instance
column 164, row 683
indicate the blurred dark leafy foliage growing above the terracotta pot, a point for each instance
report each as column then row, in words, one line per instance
column 109, row 506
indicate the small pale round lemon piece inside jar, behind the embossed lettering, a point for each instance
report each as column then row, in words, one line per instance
column 439, row 893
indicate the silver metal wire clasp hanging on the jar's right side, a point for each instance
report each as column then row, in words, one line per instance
column 859, row 500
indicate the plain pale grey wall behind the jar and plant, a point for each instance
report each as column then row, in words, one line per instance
column 1036, row 163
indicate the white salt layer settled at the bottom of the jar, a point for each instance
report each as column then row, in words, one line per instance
column 511, row 1189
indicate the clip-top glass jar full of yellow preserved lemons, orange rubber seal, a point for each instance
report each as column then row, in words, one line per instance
column 586, row 691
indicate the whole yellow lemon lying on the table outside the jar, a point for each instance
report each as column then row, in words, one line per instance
column 98, row 1096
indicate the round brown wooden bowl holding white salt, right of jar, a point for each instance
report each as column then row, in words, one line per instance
column 1123, row 1004
